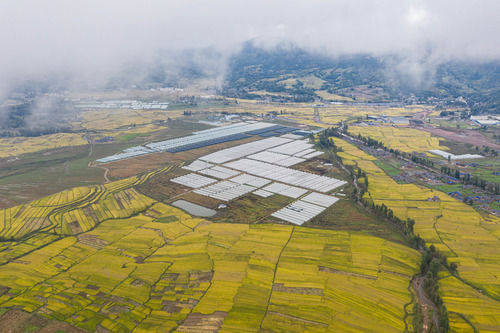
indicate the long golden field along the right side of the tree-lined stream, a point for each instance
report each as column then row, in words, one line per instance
column 456, row 229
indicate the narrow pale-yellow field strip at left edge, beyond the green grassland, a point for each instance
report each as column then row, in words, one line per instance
column 23, row 145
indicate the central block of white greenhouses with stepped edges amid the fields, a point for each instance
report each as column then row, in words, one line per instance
column 264, row 167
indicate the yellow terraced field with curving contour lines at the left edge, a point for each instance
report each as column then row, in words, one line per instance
column 75, row 210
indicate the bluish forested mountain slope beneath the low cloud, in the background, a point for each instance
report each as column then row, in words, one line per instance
column 258, row 69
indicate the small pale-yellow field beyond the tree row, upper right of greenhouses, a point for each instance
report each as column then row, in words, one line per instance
column 404, row 139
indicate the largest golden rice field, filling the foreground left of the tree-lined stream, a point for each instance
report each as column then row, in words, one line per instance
column 163, row 270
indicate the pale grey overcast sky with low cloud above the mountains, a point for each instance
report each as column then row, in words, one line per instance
column 91, row 37
